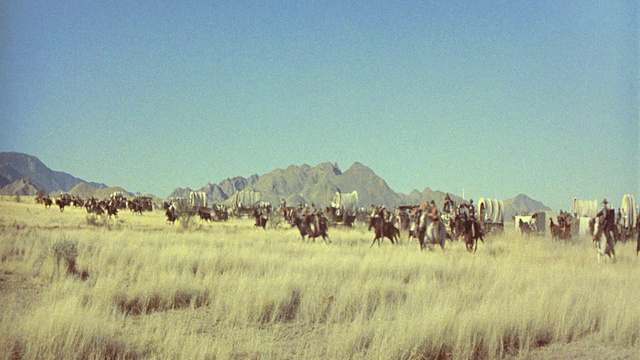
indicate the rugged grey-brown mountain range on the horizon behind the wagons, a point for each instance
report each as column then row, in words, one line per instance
column 23, row 174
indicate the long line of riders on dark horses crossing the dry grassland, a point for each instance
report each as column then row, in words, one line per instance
column 424, row 222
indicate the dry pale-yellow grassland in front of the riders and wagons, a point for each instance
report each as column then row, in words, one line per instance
column 136, row 287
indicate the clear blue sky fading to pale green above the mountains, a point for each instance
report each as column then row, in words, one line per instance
column 497, row 98
